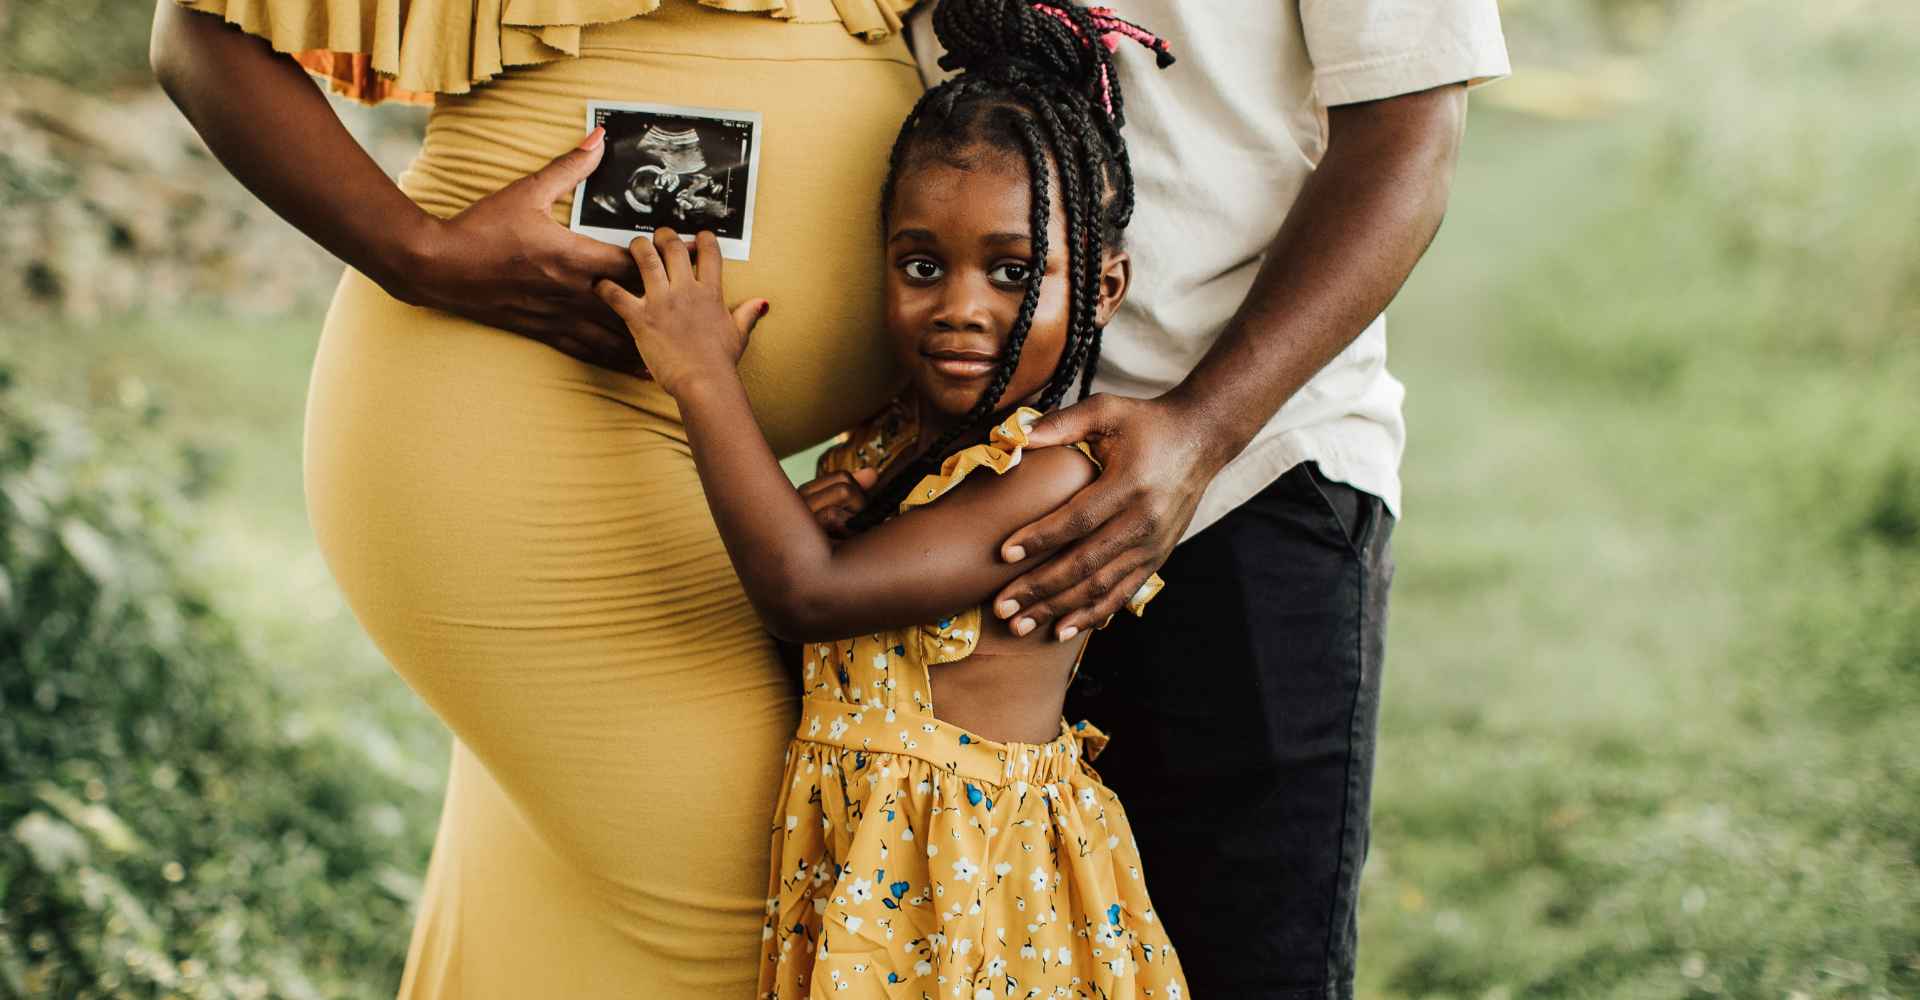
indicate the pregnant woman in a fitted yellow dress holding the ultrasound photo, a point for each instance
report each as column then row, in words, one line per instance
column 508, row 504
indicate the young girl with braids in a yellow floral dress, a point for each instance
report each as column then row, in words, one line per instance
column 940, row 832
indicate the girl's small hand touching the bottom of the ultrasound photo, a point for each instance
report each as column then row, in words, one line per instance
column 683, row 325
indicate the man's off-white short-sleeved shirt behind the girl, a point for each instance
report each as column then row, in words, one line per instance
column 1222, row 145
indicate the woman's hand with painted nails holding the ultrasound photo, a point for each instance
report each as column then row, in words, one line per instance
column 508, row 264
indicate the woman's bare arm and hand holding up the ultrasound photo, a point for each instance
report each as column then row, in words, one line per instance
column 504, row 262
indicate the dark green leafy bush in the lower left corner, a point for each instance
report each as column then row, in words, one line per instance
column 166, row 824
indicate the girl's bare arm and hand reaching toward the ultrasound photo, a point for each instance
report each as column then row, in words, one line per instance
column 934, row 561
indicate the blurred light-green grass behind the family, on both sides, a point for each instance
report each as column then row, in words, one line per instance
column 1656, row 640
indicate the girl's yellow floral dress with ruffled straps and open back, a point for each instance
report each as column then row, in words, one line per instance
column 915, row 861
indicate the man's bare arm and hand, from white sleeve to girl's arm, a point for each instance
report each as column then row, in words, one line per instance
column 1347, row 247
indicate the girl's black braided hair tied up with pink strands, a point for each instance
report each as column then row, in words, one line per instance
column 1036, row 80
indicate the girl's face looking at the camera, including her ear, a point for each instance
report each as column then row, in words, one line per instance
column 959, row 260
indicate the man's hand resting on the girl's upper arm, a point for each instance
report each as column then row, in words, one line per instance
column 1155, row 464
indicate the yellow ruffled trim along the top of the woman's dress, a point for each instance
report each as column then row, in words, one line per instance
column 379, row 51
